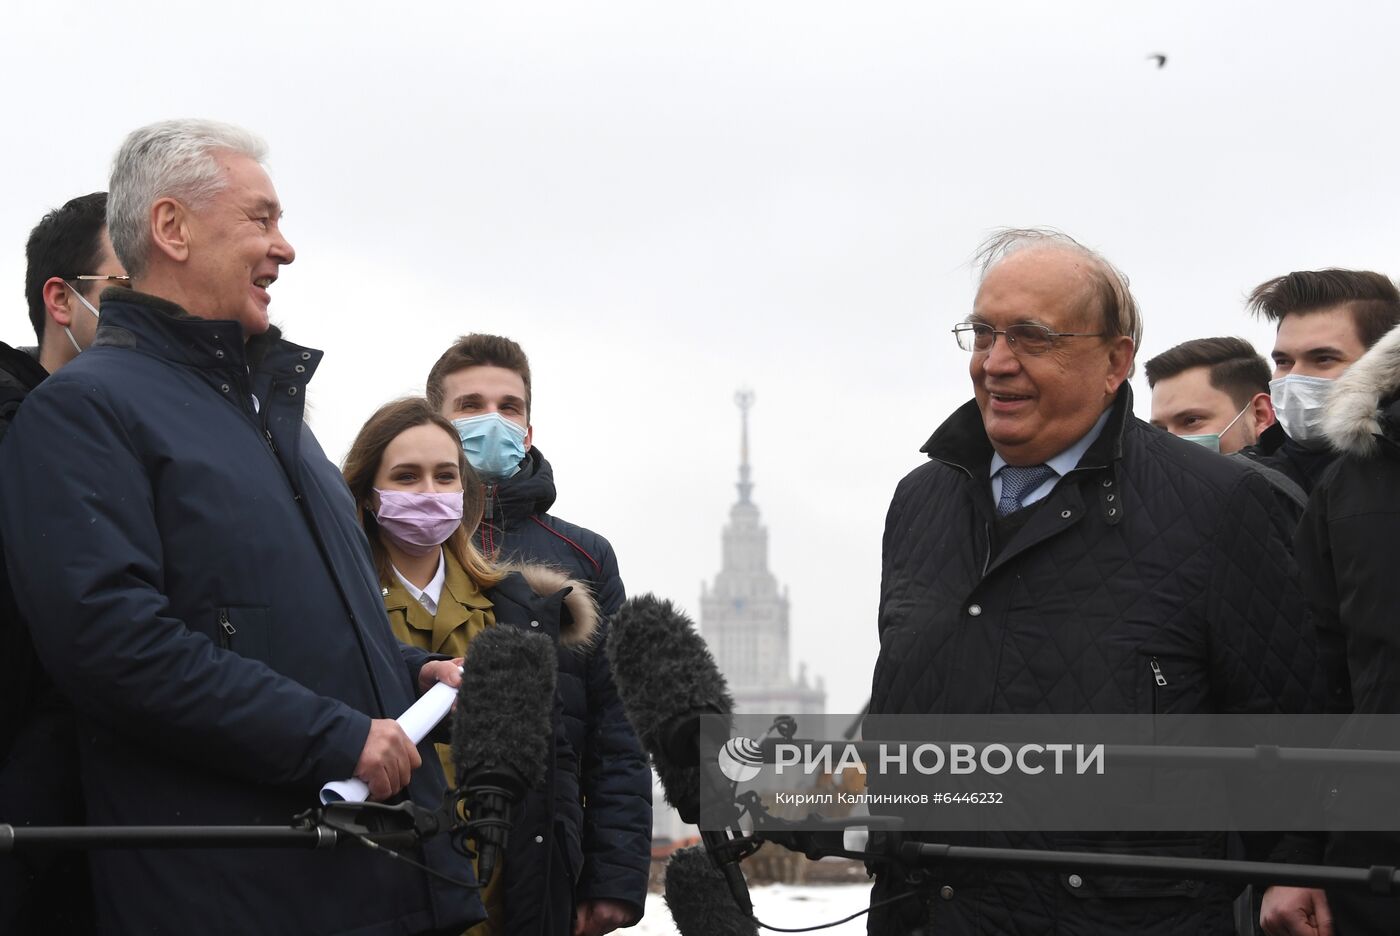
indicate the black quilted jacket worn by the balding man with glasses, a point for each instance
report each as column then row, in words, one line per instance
column 1153, row 555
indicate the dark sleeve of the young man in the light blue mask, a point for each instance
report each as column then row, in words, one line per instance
column 618, row 788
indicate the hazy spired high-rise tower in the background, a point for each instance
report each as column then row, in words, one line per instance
column 744, row 616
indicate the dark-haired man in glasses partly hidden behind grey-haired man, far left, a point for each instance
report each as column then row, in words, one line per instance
column 68, row 262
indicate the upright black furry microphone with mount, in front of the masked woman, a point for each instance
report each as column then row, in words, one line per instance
column 502, row 732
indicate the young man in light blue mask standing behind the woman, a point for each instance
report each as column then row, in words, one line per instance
column 484, row 385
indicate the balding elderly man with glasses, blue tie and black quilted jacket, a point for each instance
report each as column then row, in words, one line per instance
column 1059, row 556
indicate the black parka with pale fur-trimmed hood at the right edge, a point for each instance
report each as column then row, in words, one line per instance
column 1347, row 551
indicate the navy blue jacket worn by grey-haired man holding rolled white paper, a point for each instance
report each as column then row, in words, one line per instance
column 211, row 609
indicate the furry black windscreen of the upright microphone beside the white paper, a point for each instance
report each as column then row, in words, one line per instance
column 506, row 704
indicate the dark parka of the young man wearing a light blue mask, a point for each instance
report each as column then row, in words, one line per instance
column 615, row 780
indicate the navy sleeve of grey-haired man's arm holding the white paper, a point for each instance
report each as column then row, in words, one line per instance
column 89, row 565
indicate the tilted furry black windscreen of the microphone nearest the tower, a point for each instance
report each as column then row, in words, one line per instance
column 664, row 671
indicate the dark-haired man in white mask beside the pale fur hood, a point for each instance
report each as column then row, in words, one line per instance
column 1326, row 321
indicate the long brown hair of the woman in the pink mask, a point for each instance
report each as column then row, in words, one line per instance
column 363, row 464
